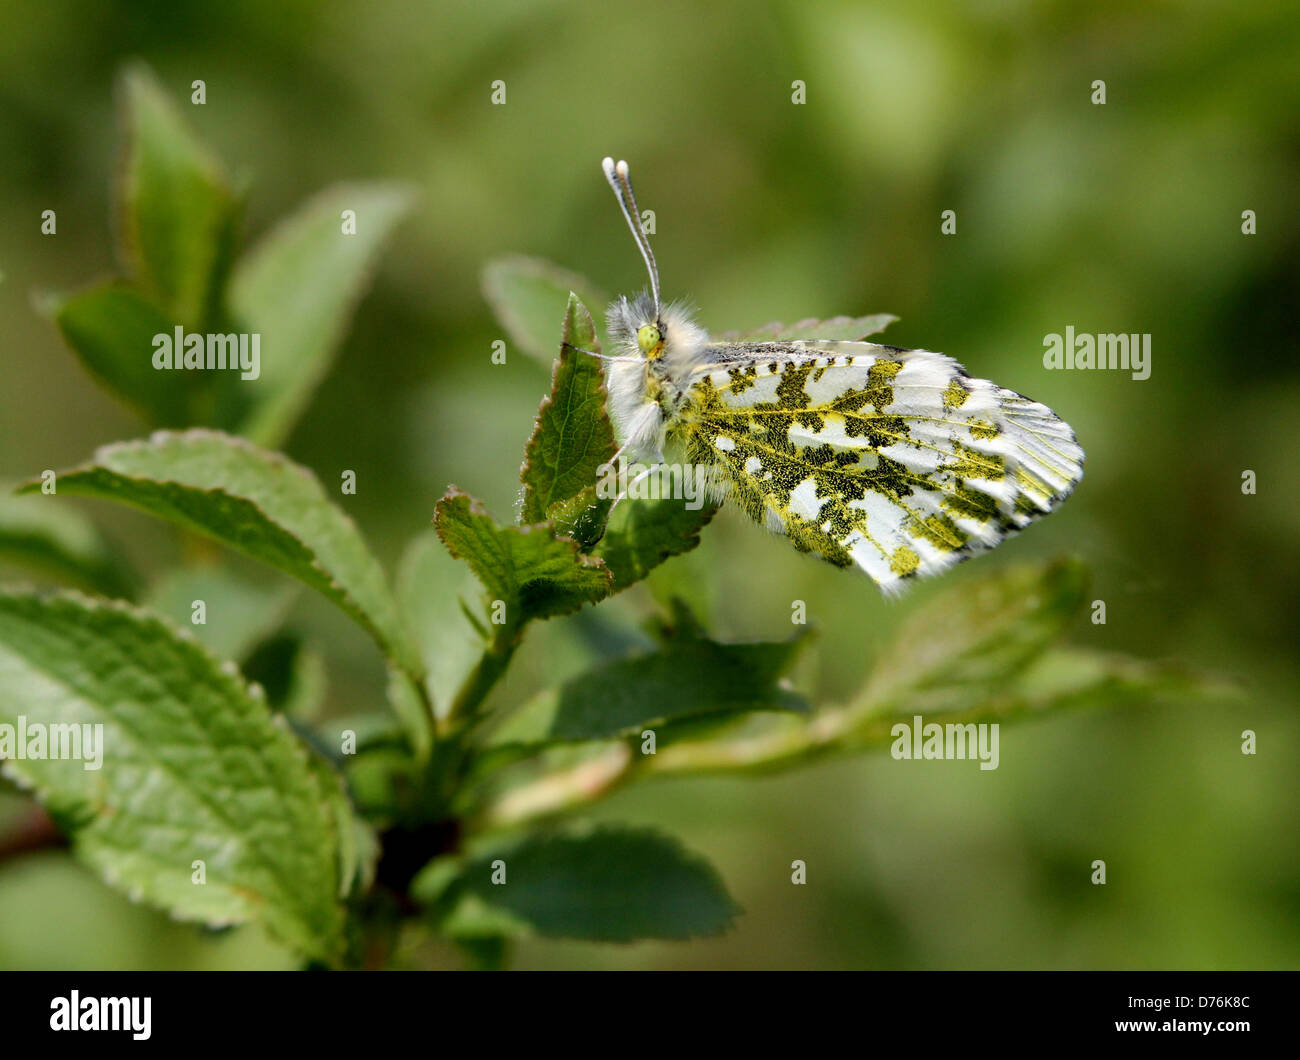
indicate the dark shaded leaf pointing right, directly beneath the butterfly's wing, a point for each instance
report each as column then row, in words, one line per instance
column 687, row 678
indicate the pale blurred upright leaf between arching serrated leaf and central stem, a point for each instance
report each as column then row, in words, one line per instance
column 432, row 590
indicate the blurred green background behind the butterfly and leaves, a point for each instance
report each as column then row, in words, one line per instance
column 1117, row 218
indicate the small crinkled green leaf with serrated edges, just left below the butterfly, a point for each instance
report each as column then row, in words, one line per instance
column 535, row 573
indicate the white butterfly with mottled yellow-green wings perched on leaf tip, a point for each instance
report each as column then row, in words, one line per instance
column 874, row 457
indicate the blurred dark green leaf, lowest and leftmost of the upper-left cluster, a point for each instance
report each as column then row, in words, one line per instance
column 111, row 328
